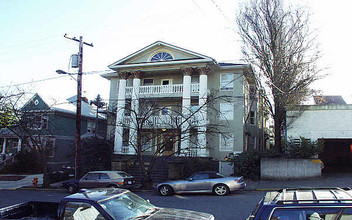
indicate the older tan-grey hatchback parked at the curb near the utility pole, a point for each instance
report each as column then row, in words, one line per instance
column 100, row 179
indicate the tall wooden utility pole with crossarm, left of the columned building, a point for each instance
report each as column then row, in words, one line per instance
column 79, row 104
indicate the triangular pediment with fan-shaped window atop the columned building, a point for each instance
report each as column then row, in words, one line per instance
column 160, row 53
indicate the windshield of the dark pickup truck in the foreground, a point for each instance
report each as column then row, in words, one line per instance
column 127, row 206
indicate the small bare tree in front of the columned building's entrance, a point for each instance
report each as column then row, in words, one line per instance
column 170, row 125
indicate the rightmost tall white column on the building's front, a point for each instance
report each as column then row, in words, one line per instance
column 203, row 119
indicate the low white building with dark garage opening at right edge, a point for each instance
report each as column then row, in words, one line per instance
column 330, row 119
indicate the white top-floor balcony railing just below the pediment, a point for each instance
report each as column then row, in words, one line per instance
column 162, row 89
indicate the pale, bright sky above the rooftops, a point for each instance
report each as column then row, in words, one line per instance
column 32, row 46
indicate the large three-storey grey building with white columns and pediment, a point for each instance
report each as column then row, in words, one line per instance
column 164, row 95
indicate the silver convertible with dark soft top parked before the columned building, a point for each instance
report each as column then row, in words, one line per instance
column 209, row 181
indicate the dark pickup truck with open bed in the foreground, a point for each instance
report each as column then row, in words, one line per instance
column 109, row 204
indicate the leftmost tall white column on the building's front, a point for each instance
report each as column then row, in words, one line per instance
column 120, row 113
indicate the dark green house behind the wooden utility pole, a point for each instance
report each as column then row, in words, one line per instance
column 56, row 126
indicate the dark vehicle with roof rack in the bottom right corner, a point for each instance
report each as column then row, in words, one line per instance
column 305, row 204
